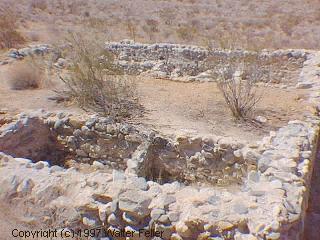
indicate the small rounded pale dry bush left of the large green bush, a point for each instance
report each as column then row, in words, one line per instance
column 25, row 75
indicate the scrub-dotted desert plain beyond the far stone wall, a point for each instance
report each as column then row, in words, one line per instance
column 270, row 24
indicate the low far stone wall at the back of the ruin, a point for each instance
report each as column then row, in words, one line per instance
column 190, row 63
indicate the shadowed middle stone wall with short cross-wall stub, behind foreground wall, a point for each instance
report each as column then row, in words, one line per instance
column 121, row 146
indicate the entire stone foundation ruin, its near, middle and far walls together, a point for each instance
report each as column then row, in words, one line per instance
column 91, row 172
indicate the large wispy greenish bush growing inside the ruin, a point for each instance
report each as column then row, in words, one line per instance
column 95, row 82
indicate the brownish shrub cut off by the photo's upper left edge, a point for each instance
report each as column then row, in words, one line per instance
column 9, row 35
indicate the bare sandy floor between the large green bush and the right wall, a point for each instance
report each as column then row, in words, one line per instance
column 199, row 108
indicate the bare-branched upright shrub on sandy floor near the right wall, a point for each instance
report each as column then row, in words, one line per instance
column 237, row 82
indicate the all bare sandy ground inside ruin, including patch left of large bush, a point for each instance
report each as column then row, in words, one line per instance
column 174, row 107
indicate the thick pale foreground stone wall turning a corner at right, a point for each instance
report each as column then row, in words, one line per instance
column 269, row 205
